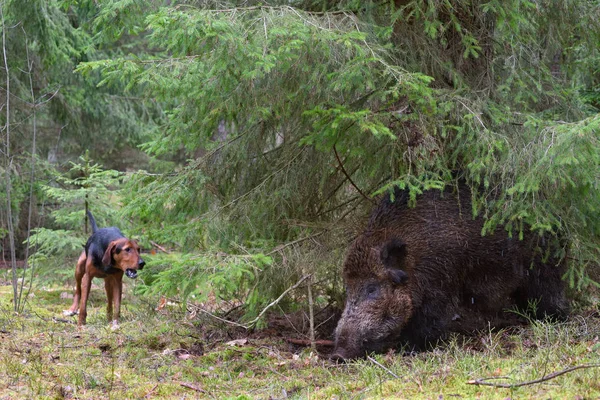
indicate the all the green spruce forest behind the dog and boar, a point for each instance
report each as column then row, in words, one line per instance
column 243, row 143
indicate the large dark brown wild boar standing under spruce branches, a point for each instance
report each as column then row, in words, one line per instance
column 416, row 274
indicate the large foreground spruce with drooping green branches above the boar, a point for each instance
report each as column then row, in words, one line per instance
column 289, row 112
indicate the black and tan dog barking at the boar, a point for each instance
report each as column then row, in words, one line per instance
column 108, row 255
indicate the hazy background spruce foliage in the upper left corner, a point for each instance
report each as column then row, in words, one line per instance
column 45, row 40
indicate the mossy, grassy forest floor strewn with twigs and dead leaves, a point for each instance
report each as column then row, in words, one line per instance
column 161, row 353
